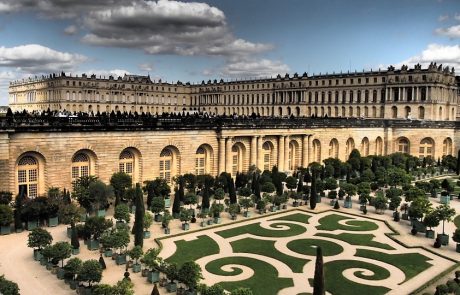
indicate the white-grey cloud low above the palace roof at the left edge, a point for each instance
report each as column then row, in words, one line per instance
column 34, row 58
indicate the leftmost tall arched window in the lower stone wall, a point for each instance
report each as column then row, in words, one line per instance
column 28, row 176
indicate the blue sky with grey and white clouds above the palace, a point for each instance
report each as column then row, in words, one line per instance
column 192, row 41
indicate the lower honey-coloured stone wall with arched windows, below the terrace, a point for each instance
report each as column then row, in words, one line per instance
column 57, row 154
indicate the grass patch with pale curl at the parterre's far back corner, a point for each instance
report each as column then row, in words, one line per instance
column 331, row 223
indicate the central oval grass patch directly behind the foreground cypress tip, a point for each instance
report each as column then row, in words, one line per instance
column 308, row 247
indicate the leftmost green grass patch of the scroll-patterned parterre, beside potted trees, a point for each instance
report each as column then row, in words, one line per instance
column 193, row 250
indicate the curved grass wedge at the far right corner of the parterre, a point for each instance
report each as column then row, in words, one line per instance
column 410, row 263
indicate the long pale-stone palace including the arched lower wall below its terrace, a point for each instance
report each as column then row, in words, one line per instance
column 301, row 119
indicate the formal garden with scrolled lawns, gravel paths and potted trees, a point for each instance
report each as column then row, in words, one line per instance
column 217, row 233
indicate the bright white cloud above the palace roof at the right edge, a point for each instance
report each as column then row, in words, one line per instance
column 441, row 54
